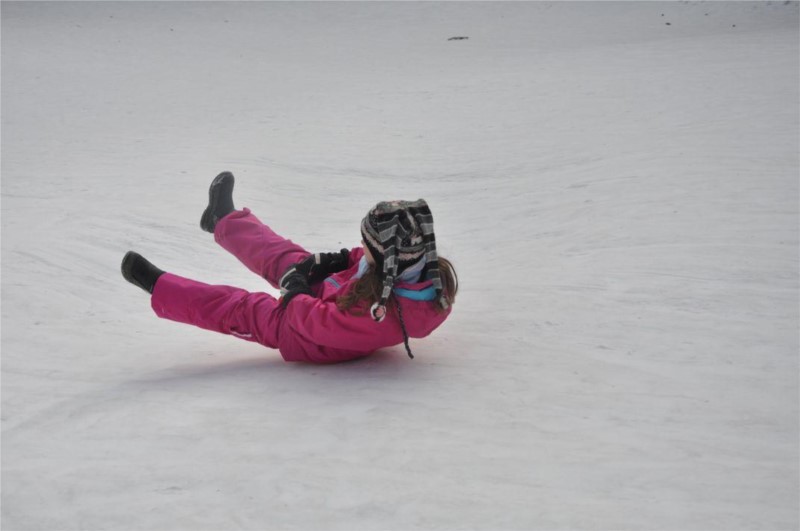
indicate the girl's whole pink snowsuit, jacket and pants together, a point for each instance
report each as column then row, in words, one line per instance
column 310, row 328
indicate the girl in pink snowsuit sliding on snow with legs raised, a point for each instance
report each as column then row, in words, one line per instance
column 334, row 306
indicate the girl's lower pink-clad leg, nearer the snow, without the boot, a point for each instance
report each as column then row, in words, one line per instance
column 224, row 309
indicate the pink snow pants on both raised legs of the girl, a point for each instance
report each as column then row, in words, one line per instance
column 251, row 316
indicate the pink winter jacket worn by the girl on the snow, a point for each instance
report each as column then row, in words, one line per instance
column 314, row 329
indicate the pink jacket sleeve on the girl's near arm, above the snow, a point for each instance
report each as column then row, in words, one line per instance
column 324, row 324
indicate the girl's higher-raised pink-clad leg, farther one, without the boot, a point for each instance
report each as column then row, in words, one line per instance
column 256, row 246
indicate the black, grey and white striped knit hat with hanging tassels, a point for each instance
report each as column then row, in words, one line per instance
column 399, row 234
